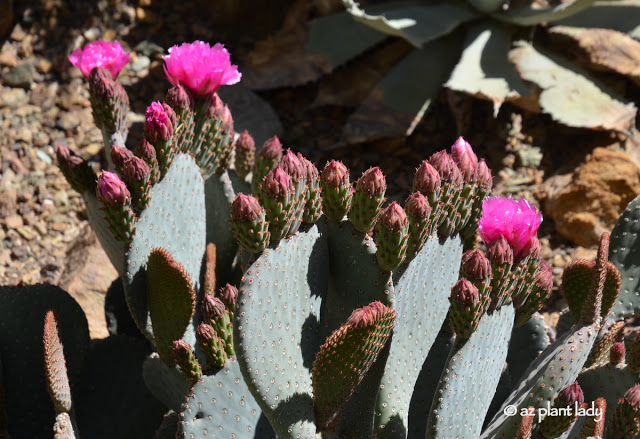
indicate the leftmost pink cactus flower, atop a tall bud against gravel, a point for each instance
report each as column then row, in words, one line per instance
column 105, row 54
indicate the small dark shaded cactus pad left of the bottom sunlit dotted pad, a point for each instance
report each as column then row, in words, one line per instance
column 167, row 384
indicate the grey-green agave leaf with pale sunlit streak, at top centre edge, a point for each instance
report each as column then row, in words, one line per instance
column 417, row 24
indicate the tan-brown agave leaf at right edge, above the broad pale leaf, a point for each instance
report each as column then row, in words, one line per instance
column 606, row 49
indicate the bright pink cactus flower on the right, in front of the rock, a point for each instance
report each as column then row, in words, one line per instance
column 516, row 221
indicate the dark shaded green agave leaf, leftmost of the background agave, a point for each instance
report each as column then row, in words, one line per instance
column 340, row 38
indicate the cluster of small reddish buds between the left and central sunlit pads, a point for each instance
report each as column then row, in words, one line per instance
column 215, row 333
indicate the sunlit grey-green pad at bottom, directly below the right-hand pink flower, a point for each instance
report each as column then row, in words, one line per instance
column 469, row 381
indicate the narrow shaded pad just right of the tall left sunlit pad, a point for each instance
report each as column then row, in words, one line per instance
column 219, row 194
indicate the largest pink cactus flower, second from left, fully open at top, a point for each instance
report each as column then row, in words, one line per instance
column 200, row 68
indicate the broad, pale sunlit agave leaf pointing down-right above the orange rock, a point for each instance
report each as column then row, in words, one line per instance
column 569, row 95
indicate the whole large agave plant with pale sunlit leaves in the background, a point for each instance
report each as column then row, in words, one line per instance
column 490, row 49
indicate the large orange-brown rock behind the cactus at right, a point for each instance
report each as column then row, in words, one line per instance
column 589, row 202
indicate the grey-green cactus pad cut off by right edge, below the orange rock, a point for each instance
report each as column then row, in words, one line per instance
column 624, row 252
